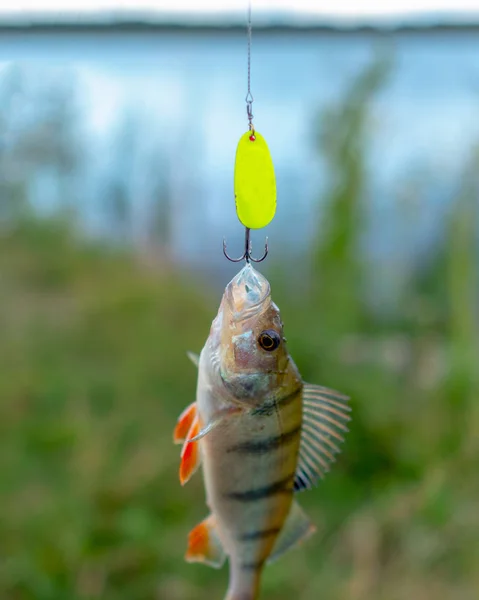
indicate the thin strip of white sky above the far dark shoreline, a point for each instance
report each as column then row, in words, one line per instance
column 344, row 9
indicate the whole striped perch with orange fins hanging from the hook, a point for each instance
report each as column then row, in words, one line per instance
column 260, row 434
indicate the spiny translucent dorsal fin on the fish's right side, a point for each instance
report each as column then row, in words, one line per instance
column 325, row 414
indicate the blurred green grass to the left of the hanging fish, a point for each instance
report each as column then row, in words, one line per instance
column 95, row 372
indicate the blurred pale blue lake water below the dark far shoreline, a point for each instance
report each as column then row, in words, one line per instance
column 185, row 91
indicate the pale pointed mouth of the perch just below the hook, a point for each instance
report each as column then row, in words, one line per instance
column 246, row 293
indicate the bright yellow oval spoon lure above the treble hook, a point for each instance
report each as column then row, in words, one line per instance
column 254, row 181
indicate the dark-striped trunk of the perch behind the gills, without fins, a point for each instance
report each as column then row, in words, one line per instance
column 249, row 466
